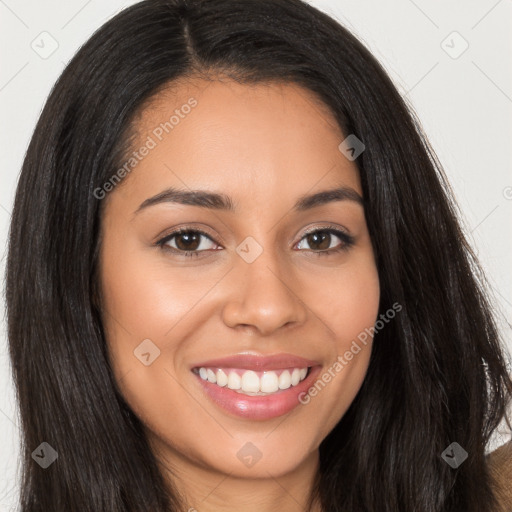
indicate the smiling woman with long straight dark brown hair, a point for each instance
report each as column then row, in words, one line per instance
column 236, row 279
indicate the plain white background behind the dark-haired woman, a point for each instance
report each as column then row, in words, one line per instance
column 464, row 104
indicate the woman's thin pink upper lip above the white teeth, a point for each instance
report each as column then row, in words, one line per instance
column 248, row 361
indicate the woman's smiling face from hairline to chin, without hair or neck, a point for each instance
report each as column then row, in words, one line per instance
column 259, row 301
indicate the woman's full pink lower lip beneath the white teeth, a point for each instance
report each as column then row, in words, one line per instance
column 259, row 407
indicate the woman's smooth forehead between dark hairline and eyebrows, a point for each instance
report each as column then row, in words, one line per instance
column 259, row 141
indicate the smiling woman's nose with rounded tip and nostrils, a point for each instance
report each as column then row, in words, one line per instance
column 265, row 295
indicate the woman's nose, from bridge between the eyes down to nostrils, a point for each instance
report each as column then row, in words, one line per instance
column 264, row 296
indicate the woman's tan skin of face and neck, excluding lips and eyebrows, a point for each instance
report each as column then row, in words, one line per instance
column 265, row 146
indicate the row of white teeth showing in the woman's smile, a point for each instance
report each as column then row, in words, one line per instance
column 250, row 383
